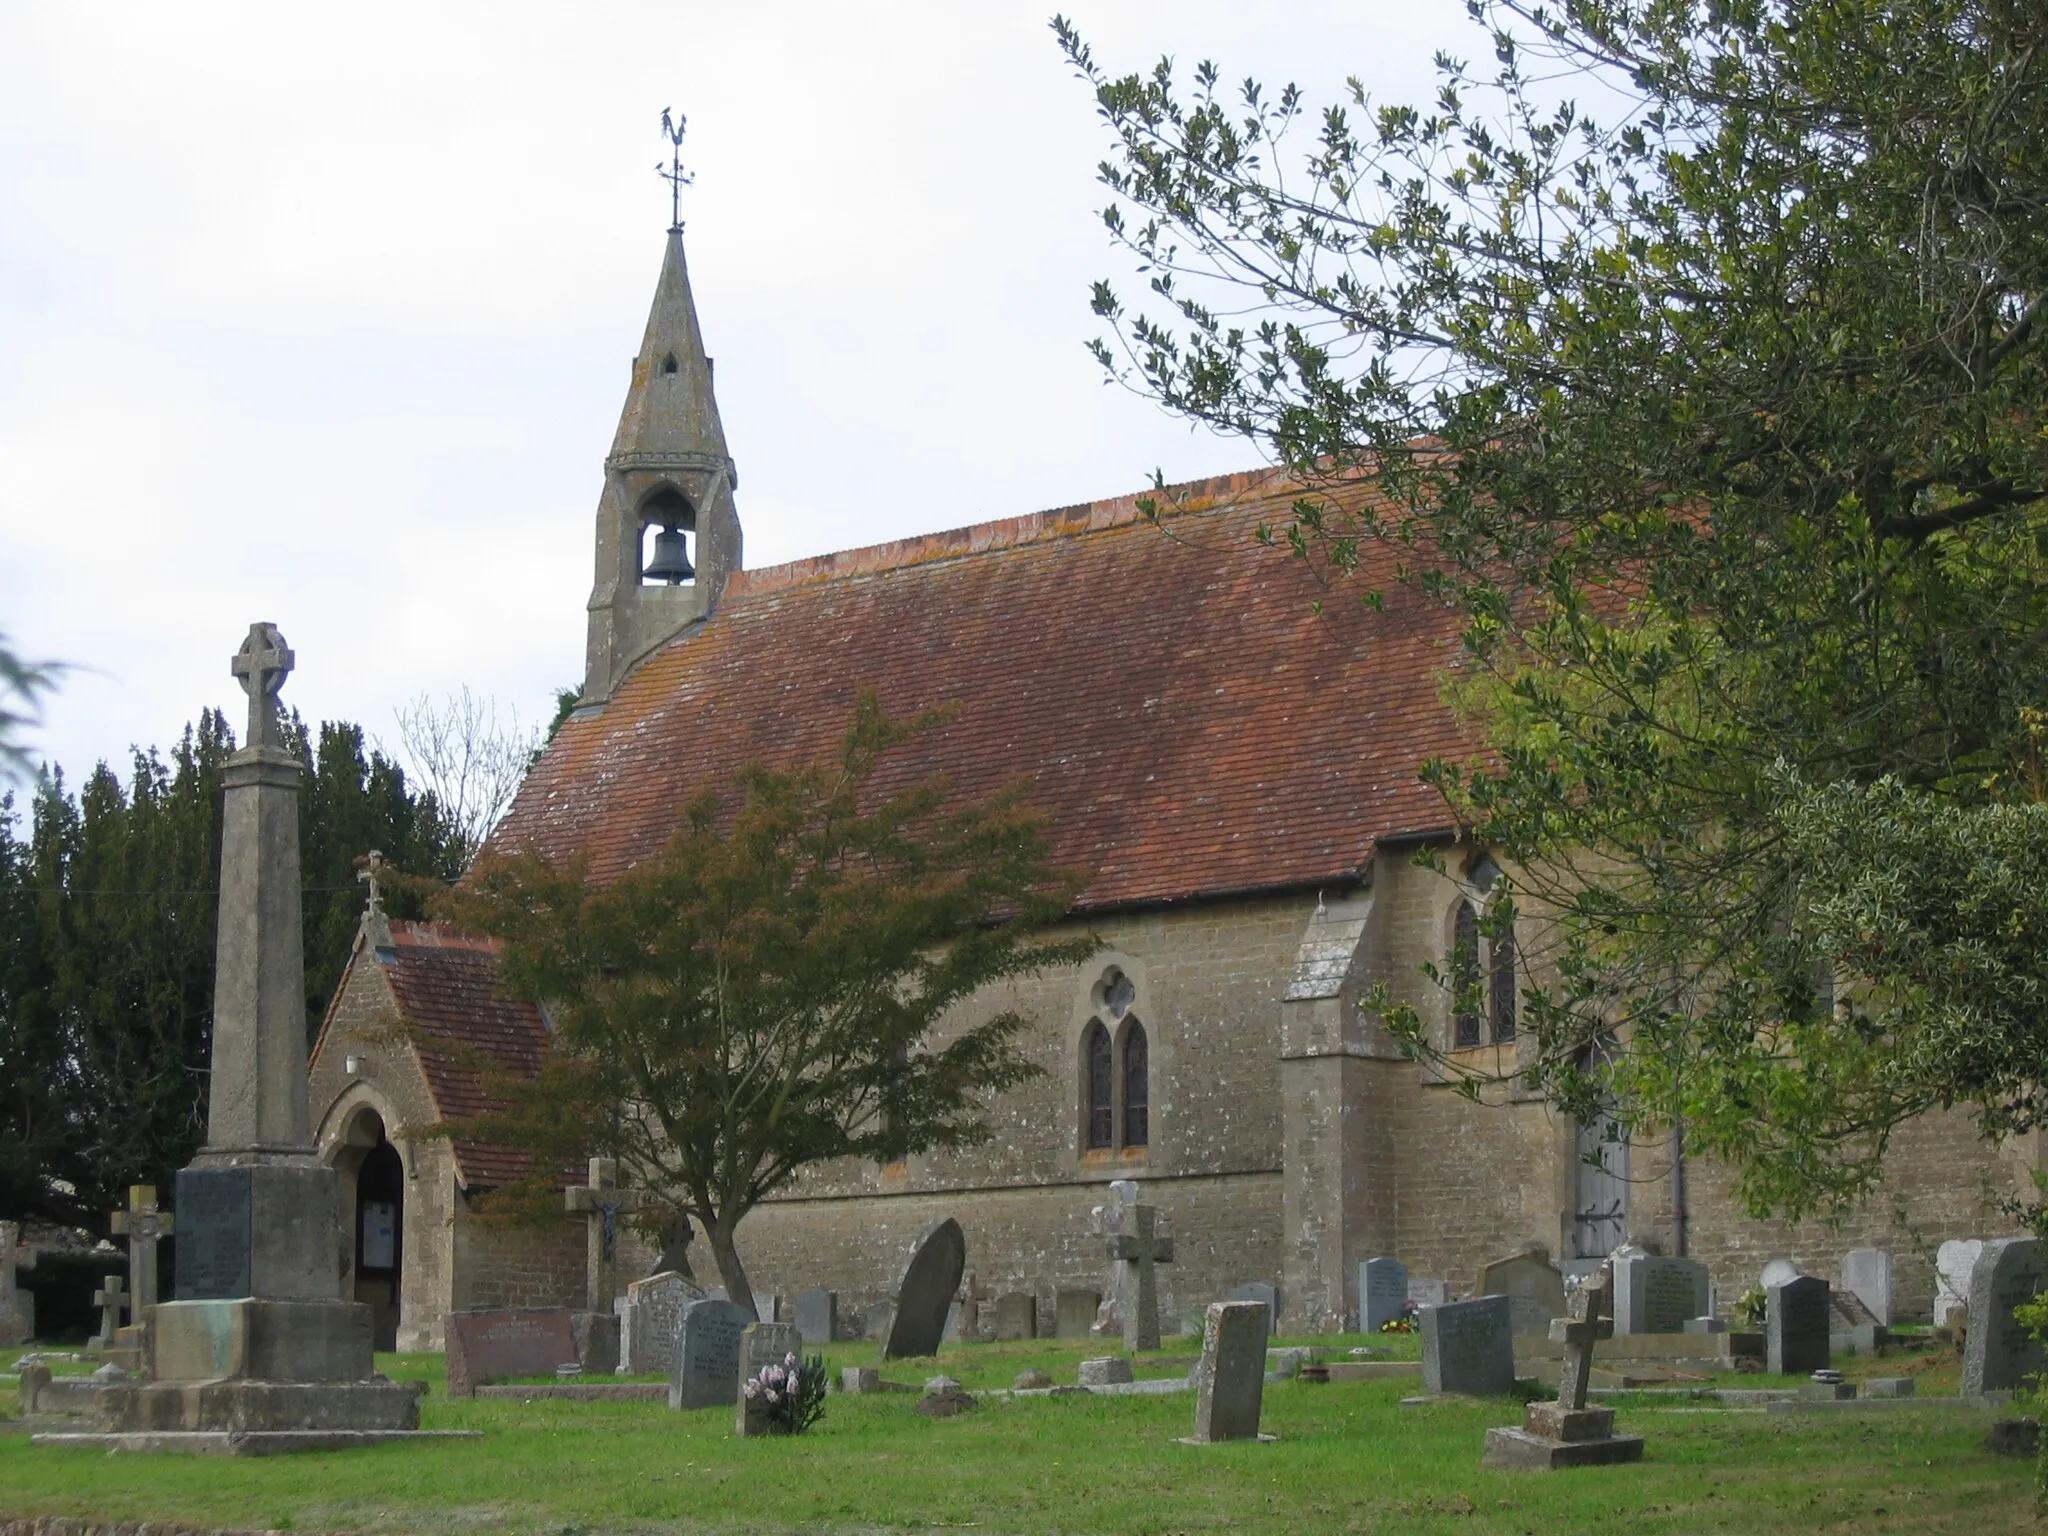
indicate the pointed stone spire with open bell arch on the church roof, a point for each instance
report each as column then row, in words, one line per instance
column 669, row 470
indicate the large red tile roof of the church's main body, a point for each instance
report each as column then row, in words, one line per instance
column 1170, row 691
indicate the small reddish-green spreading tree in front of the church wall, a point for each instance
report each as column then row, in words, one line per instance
column 771, row 992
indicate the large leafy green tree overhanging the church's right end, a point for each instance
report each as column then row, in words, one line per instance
column 1719, row 425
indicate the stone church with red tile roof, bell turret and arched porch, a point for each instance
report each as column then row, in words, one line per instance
column 1236, row 773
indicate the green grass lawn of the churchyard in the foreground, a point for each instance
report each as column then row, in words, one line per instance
column 1351, row 1459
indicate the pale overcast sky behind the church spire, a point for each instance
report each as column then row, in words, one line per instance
column 323, row 314
